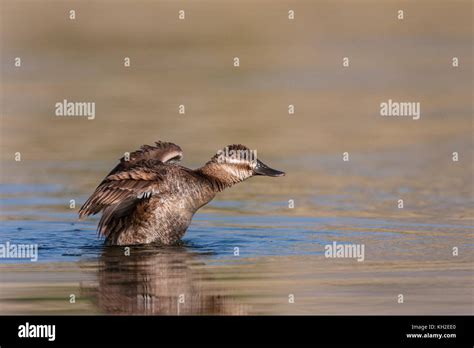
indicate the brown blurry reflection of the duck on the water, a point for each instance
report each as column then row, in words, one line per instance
column 164, row 280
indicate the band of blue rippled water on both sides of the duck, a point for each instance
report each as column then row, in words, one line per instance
column 214, row 235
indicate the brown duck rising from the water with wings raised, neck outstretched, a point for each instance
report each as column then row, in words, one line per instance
column 148, row 197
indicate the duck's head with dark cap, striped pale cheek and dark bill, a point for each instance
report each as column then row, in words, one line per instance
column 235, row 163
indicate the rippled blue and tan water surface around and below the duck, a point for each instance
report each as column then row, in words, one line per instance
column 281, row 253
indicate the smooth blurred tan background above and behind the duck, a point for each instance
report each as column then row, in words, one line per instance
column 282, row 62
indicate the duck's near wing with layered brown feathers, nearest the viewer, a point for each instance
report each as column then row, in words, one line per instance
column 119, row 193
